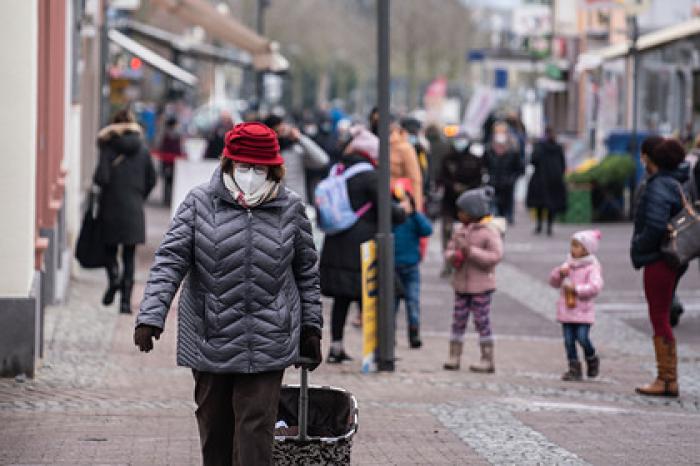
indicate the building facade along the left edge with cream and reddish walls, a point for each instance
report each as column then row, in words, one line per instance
column 48, row 127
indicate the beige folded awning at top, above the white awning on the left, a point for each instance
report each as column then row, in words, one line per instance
column 265, row 52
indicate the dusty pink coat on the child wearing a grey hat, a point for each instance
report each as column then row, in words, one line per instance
column 475, row 250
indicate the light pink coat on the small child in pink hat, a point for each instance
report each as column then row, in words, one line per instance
column 586, row 275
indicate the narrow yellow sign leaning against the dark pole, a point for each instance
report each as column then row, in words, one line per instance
column 370, row 288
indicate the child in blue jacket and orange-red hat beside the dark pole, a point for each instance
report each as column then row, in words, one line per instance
column 407, row 257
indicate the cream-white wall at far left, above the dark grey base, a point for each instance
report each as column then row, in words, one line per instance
column 18, row 94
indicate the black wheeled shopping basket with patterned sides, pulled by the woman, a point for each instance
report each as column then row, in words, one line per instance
column 323, row 436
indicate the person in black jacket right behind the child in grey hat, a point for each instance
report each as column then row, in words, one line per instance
column 462, row 169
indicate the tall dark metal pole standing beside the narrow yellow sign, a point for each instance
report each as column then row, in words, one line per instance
column 385, row 238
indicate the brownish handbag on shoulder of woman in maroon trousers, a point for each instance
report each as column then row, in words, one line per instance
column 683, row 242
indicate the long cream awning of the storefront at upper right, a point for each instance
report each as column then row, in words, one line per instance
column 591, row 60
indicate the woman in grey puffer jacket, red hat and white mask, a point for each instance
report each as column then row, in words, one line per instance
column 250, row 304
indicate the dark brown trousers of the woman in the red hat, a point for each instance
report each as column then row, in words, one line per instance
column 236, row 415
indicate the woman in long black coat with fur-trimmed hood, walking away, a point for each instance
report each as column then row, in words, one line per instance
column 126, row 176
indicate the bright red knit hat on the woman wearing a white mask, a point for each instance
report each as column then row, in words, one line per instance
column 253, row 143
